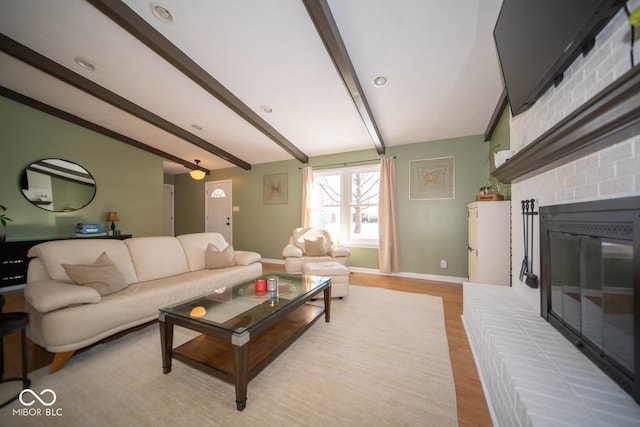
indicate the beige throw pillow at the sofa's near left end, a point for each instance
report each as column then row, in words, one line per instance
column 103, row 275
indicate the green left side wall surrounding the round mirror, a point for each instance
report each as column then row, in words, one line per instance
column 128, row 180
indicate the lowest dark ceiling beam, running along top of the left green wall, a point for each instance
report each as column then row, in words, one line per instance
column 46, row 108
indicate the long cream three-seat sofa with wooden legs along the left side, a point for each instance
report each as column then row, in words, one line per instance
column 155, row 272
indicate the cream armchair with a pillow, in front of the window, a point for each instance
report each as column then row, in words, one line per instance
column 312, row 245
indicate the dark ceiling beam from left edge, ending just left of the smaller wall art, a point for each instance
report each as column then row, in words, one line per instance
column 33, row 58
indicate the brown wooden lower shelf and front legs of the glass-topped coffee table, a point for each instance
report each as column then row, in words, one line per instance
column 239, row 364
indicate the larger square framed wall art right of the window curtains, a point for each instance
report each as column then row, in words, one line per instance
column 432, row 179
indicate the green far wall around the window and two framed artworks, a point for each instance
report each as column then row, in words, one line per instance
column 430, row 230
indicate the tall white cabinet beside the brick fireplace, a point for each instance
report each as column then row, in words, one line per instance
column 490, row 242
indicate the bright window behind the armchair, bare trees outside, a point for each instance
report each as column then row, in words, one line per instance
column 346, row 203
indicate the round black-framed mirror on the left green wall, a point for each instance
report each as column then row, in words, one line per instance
column 57, row 185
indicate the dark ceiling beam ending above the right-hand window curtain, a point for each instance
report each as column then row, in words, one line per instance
column 328, row 30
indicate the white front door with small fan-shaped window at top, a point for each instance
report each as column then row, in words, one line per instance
column 218, row 207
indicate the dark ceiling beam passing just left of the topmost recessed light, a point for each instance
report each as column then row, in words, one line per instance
column 122, row 15
